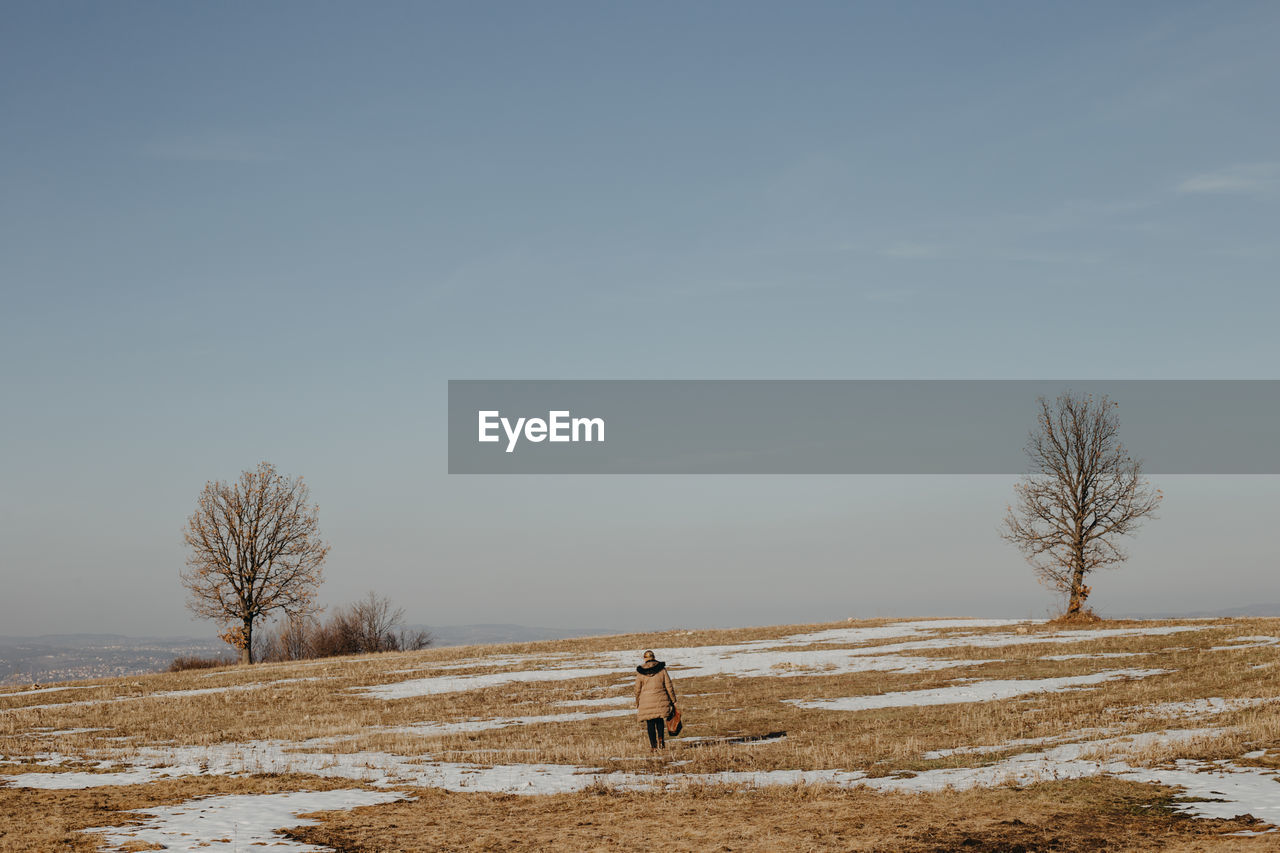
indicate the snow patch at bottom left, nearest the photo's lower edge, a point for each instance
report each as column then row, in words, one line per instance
column 239, row 822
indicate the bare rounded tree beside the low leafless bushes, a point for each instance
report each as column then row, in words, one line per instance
column 255, row 549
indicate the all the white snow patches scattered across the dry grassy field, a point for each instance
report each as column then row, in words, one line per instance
column 1244, row 790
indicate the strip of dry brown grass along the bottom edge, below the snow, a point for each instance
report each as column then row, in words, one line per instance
column 1090, row 815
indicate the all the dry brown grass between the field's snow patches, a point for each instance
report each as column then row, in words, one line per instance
column 296, row 703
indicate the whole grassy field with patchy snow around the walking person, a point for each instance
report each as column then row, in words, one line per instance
column 874, row 736
